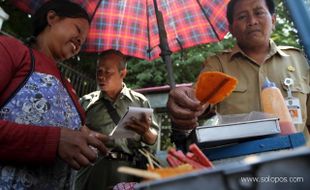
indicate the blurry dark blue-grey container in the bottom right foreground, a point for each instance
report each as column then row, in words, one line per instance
column 286, row 169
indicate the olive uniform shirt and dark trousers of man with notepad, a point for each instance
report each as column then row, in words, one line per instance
column 104, row 175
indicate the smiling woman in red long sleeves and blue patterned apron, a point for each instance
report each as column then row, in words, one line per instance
column 42, row 130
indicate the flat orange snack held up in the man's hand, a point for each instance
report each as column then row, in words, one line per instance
column 214, row 87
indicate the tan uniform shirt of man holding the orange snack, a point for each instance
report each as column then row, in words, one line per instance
column 282, row 62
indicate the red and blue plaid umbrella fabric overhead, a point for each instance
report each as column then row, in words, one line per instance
column 130, row 26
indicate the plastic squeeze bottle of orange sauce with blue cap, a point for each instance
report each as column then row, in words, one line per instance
column 273, row 103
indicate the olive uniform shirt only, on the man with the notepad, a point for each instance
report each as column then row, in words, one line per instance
column 98, row 118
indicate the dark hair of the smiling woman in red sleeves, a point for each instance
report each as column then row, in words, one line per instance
column 62, row 8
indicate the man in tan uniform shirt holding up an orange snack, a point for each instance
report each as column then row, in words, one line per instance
column 253, row 58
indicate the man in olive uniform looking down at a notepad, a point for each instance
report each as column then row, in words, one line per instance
column 102, row 107
